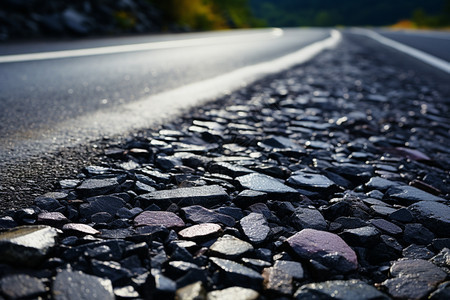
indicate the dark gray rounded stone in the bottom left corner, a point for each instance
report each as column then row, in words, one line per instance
column 21, row 286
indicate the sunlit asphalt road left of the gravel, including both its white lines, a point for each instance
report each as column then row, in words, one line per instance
column 59, row 93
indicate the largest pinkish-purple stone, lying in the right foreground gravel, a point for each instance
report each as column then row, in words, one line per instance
column 322, row 246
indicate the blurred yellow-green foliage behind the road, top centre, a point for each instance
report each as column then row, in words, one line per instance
column 206, row 14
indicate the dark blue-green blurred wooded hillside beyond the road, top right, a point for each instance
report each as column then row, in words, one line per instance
column 348, row 12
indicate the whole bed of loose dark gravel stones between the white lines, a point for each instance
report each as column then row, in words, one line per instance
column 328, row 181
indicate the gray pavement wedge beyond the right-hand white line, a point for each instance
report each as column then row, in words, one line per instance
column 431, row 42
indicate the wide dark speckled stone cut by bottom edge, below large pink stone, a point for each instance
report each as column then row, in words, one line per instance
column 339, row 289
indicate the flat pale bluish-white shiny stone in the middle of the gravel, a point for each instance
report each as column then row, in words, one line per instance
column 266, row 184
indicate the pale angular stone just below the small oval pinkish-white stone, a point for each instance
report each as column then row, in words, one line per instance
column 230, row 247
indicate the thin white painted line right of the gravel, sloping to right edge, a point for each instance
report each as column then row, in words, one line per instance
column 425, row 57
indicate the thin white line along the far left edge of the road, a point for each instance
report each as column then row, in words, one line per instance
column 274, row 33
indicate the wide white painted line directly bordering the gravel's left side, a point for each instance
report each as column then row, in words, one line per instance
column 158, row 108
